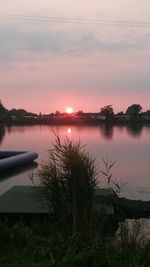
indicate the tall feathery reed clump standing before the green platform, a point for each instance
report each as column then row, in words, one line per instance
column 69, row 179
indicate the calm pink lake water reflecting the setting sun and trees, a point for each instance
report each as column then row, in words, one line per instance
column 129, row 146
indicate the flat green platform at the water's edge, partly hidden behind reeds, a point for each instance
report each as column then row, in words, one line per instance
column 29, row 200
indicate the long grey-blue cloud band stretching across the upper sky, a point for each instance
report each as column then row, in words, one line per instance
column 14, row 42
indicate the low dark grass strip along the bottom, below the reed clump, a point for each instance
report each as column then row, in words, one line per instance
column 35, row 245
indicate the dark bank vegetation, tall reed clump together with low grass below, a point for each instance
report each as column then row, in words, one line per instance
column 75, row 234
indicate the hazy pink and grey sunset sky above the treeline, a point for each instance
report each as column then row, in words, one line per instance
column 83, row 54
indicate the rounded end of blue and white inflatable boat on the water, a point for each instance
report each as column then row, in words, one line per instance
column 12, row 159
